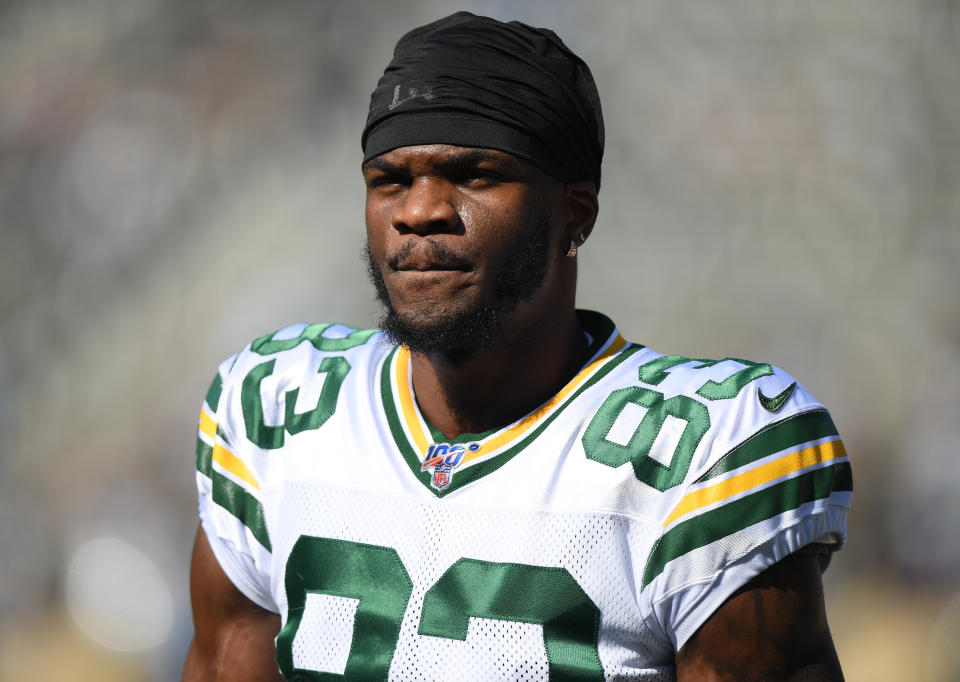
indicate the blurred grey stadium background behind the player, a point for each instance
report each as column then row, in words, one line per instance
column 781, row 182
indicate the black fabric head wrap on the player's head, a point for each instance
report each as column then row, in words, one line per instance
column 473, row 81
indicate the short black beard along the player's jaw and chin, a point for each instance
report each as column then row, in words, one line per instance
column 464, row 333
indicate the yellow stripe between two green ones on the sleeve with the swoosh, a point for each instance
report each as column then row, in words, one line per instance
column 757, row 476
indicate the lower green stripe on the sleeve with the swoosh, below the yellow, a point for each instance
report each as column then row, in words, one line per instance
column 739, row 514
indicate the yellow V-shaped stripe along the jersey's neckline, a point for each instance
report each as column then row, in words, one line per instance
column 503, row 437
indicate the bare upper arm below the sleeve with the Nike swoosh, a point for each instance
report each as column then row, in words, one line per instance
column 773, row 628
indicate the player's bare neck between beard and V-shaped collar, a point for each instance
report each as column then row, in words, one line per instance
column 492, row 388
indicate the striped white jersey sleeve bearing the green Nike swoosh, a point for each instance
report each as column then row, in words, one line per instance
column 772, row 478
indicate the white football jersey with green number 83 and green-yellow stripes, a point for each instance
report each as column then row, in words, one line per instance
column 588, row 540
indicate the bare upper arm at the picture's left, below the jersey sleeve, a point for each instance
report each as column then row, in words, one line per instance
column 234, row 638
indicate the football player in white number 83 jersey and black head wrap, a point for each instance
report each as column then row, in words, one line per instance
column 497, row 485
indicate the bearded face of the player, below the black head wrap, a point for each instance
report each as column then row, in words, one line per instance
column 458, row 238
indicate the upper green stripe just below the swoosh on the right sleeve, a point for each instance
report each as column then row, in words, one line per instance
column 800, row 428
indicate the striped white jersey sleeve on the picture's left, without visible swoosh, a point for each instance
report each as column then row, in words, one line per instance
column 230, row 504
